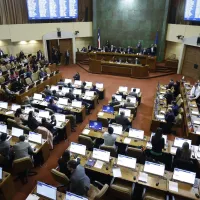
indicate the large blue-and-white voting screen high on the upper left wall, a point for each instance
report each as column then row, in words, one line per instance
column 52, row 9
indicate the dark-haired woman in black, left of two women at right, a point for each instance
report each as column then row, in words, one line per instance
column 158, row 143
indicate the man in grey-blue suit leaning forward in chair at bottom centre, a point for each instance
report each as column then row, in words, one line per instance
column 79, row 181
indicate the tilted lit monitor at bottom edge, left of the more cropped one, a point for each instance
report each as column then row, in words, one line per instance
column 46, row 190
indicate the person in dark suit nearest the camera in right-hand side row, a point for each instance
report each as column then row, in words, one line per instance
column 169, row 118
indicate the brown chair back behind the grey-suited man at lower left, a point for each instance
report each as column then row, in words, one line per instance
column 22, row 164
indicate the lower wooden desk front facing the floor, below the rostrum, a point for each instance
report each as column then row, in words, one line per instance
column 123, row 69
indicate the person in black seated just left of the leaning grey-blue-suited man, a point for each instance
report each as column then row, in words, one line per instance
column 62, row 163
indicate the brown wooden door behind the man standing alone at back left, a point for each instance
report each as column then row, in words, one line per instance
column 66, row 44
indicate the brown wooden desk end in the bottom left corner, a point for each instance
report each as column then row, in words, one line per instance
column 7, row 188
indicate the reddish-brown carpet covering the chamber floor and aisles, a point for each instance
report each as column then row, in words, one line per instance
column 111, row 83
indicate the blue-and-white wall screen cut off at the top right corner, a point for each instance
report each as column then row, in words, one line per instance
column 192, row 10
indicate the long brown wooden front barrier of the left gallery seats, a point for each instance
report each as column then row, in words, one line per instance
column 39, row 88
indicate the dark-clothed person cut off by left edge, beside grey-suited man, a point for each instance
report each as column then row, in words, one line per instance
column 4, row 146
